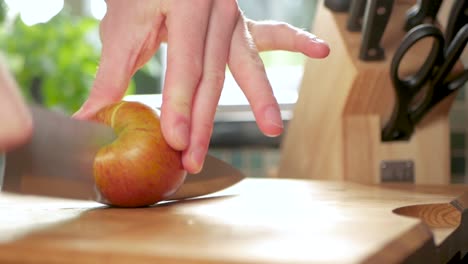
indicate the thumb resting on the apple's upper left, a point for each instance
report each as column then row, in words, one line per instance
column 112, row 80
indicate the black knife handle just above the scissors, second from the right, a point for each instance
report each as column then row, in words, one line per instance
column 425, row 11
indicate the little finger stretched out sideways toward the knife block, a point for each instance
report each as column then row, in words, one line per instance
column 282, row 36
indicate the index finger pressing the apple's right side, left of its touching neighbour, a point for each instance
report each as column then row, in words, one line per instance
column 187, row 22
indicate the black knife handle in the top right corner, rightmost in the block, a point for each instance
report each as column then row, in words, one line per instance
column 457, row 19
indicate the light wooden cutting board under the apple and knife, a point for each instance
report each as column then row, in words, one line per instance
column 256, row 221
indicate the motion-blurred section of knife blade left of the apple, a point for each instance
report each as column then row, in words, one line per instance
column 61, row 150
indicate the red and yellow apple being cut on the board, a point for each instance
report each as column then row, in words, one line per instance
column 138, row 168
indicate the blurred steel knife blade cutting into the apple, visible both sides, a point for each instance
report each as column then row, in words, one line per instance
column 58, row 162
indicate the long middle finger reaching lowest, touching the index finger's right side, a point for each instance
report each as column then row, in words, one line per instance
column 221, row 26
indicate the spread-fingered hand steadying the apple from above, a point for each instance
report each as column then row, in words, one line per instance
column 203, row 36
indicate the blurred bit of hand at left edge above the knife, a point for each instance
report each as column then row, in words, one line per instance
column 16, row 121
